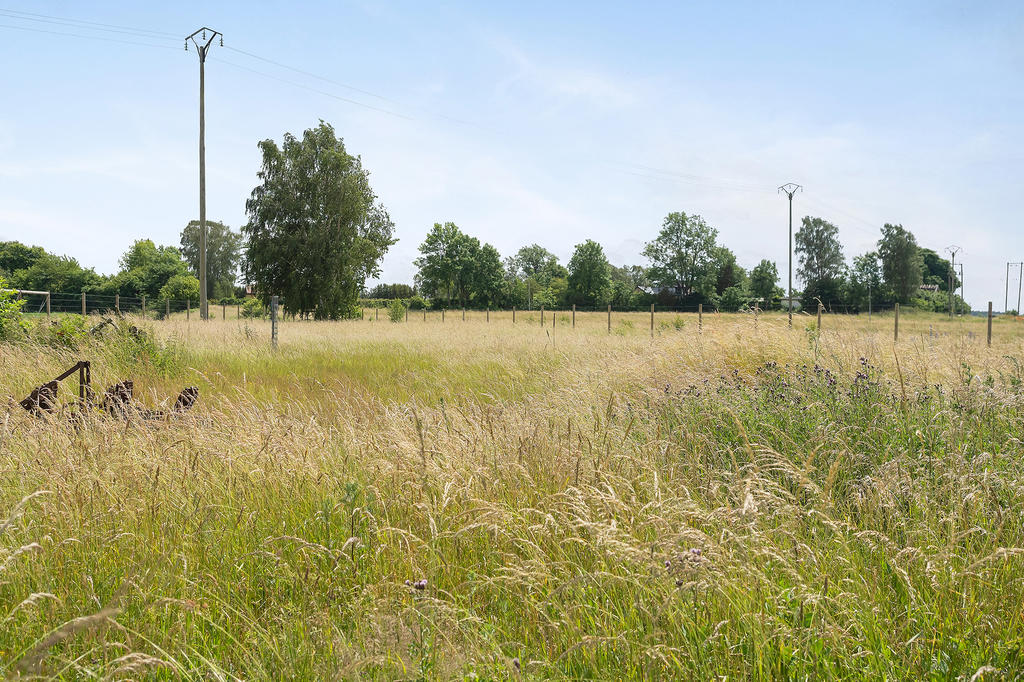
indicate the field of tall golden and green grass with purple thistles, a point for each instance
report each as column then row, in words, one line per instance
column 744, row 502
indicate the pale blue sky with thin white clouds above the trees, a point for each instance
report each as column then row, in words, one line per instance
column 530, row 122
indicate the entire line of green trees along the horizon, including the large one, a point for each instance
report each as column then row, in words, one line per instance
column 317, row 232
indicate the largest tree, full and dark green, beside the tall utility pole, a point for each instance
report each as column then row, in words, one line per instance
column 316, row 230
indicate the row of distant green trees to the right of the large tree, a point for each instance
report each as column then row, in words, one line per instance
column 687, row 267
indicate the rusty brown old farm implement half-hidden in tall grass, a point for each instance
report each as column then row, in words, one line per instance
column 118, row 401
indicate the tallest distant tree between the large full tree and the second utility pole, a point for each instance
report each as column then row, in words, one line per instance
column 682, row 255
